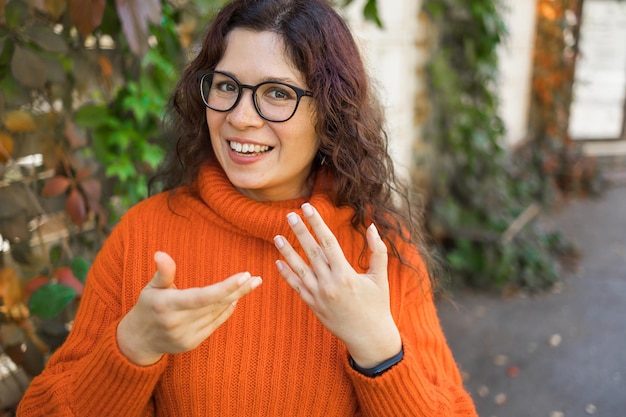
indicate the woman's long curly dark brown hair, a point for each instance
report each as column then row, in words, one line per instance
column 349, row 120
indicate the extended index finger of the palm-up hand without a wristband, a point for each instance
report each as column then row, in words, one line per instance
column 224, row 292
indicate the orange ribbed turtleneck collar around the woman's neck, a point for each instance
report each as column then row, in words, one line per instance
column 263, row 220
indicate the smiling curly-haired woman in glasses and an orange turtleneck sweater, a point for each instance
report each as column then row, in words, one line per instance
column 280, row 154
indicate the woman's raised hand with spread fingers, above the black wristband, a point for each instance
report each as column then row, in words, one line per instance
column 354, row 307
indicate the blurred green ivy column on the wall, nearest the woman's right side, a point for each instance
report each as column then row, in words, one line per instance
column 480, row 216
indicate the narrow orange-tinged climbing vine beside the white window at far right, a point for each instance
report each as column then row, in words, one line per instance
column 560, row 167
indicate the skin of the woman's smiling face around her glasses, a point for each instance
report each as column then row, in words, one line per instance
column 278, row 159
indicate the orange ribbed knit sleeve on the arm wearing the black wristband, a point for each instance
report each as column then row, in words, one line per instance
column 427, row 381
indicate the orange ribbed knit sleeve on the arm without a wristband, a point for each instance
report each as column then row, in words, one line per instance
column 88, row 375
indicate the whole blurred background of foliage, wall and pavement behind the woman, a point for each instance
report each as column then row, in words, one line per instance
column 507, row 117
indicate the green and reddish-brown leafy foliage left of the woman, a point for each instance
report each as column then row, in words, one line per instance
column 83, row 86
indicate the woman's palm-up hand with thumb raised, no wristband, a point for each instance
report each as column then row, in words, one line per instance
column 168, row 320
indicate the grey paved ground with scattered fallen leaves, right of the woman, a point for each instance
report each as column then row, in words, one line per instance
column 560, row 354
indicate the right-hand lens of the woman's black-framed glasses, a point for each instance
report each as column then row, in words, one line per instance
column 276, row 102
